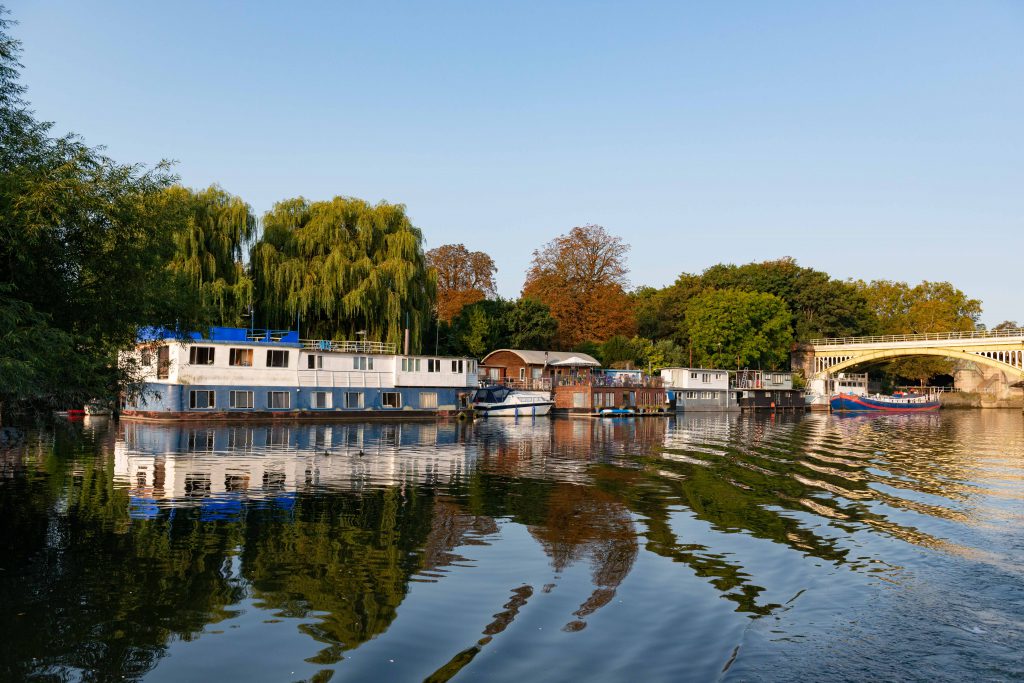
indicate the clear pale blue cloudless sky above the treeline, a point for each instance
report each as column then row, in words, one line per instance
column 868, row 140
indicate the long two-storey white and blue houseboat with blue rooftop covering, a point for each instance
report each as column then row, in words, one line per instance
column 236, row 373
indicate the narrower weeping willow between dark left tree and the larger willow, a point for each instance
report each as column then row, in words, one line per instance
column 215, row 229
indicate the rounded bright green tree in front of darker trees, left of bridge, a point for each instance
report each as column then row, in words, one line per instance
column 732, row 328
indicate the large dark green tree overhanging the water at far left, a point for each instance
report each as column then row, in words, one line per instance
column 84, row 244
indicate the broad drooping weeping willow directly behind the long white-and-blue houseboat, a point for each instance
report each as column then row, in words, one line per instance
column 344, row 267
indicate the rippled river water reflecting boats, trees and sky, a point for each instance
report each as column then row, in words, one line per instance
column 712, row 547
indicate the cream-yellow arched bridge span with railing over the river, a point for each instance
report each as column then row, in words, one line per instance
column 1003, row 350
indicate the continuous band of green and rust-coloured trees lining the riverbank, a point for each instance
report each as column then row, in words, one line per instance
column 93, row 249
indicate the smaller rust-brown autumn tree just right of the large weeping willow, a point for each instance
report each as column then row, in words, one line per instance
column 463, row 278
